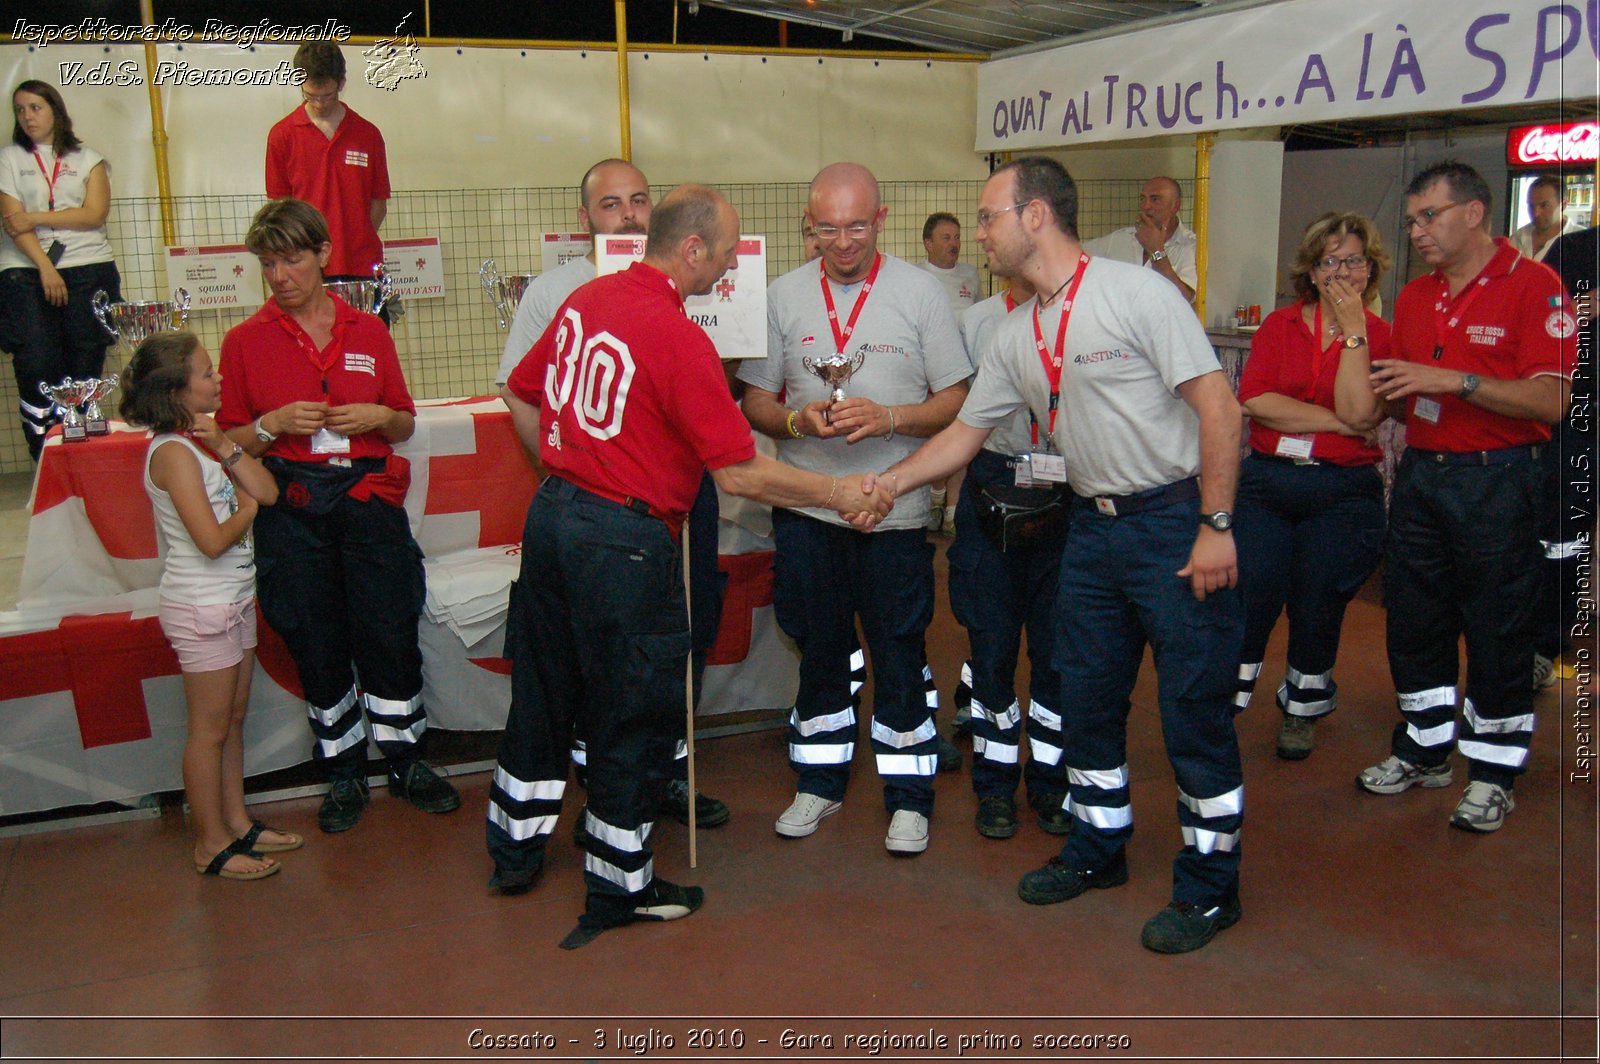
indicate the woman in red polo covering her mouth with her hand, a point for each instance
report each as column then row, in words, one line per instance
column 1310, row 518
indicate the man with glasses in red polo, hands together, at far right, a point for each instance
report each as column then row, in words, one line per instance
column 1484, row 362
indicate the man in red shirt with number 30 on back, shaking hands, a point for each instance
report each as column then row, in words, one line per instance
column 626, row 404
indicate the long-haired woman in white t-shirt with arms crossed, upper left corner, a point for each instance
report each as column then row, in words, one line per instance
column 55, row 196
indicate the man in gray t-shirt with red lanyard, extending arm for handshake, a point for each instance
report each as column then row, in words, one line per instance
column 1143, row 425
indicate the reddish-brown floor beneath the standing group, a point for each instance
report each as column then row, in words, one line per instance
column 1372, row 930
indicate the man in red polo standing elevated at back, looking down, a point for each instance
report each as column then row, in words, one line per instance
column 334, row 159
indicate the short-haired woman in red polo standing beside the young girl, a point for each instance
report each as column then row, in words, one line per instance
column 316, row 388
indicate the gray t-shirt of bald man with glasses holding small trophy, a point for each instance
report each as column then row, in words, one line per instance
column 913, row 350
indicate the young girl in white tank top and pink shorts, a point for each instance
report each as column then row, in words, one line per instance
column 206, row 492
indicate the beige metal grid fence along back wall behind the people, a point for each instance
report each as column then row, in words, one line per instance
column 452, row 346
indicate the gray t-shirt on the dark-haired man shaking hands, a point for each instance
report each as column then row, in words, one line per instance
column 1121, row 423
